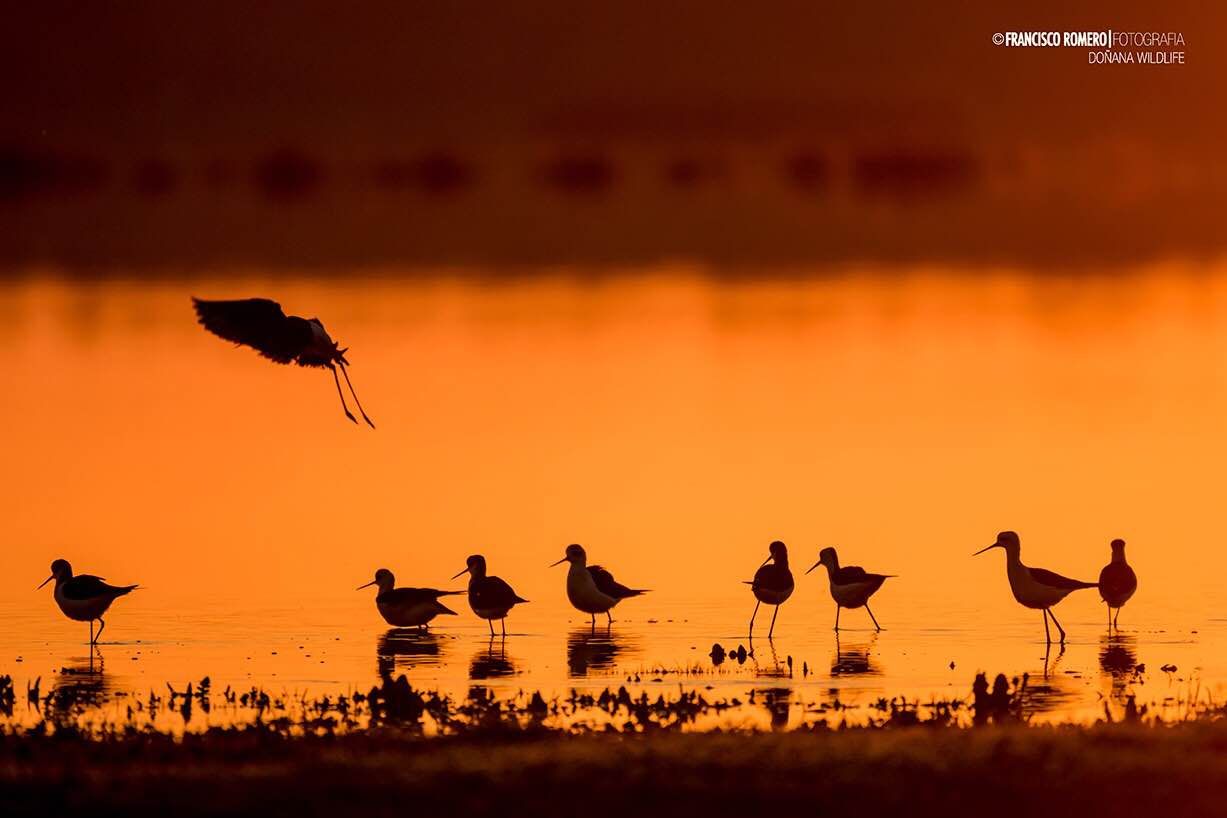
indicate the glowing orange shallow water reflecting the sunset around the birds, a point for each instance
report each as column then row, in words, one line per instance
column 671, row 422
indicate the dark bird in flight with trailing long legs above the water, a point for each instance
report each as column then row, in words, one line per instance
column 261, row 324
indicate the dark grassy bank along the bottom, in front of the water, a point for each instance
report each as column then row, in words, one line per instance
column 1013, row 771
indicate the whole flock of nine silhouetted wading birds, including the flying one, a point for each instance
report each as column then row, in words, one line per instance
column 261, row 324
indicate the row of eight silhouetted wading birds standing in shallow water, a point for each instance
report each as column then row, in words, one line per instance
column 593, row 591
